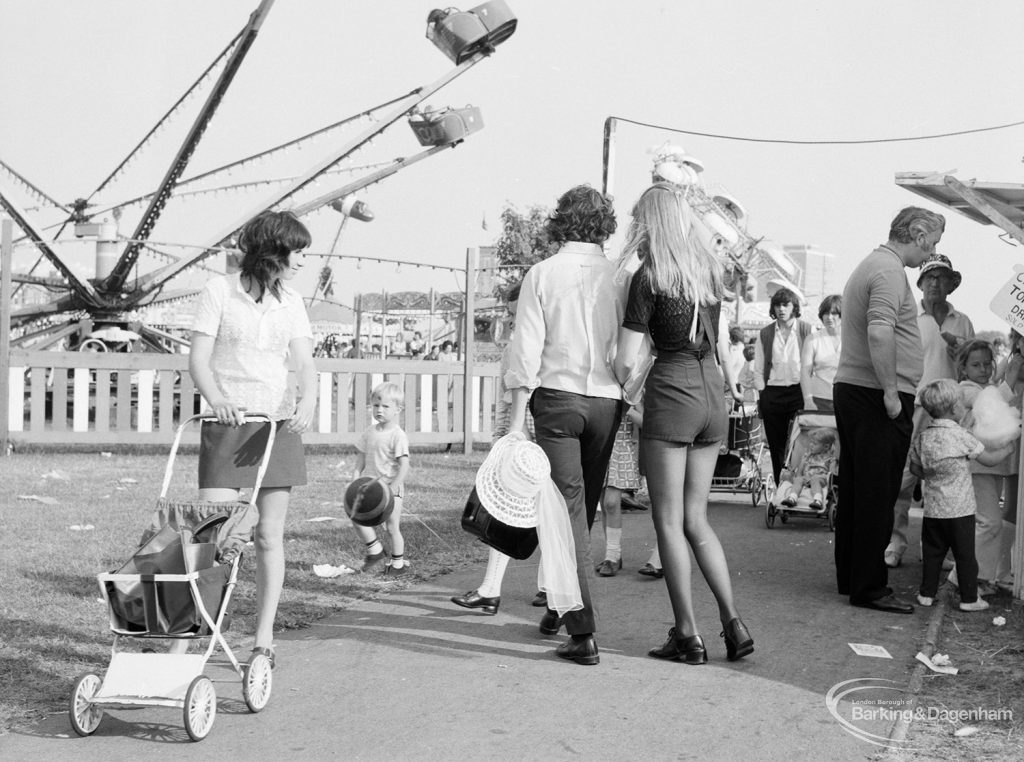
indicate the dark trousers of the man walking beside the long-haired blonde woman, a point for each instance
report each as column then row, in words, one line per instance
column 577, row 434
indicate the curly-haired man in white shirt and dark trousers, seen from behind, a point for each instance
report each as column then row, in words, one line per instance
column 561, row 364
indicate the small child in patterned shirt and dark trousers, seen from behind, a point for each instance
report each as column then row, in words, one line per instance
column 942, row 456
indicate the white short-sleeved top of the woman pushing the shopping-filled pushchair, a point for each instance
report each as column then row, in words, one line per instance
column 250, row 353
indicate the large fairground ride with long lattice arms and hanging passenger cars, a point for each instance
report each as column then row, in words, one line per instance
column 105, row 312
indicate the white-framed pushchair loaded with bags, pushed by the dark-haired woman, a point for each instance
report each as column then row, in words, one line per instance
column 178, row 585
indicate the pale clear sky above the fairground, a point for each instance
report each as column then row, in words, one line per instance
column 82, row 82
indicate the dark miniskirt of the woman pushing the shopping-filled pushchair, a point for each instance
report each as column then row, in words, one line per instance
column 230, row 456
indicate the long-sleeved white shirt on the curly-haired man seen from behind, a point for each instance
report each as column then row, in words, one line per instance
column 568, row 323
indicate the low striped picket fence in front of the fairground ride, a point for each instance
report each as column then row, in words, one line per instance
column 129, row 399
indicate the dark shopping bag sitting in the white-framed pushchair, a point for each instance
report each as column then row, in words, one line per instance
column 168, row 608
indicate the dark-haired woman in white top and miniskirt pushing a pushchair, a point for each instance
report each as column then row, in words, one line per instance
column 247, row 328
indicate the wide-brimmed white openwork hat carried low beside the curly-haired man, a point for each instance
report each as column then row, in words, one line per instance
column 510, row 480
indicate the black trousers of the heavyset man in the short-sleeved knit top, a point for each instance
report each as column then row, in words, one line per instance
column 873, row 451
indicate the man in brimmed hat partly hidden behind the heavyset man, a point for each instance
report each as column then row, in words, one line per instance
column 944, row 331
